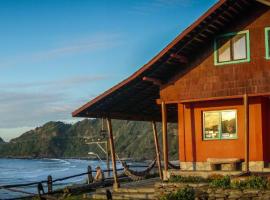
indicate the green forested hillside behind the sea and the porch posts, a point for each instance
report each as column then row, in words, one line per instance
column 57, row 139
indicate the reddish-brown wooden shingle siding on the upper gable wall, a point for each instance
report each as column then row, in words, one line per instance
column 203, row 79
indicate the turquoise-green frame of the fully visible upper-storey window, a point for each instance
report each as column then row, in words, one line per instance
column 229, row 38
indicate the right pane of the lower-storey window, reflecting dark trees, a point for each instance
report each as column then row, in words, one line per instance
column 228, row 124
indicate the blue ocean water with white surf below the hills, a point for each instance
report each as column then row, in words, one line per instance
column 16, row 171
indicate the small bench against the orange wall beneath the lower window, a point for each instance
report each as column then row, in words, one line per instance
column 215, row 162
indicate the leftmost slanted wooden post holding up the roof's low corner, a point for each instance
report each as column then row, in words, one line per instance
column 112, row 150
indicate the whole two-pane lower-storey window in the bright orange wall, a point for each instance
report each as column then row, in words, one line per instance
column 220, row 124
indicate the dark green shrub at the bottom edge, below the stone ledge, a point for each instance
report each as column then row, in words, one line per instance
column 183, row 194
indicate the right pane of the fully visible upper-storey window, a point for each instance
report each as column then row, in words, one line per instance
column 239, row 47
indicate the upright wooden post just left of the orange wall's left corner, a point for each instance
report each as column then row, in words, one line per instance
column 164, row 139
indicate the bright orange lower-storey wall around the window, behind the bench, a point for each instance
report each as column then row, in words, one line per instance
column 192, row 147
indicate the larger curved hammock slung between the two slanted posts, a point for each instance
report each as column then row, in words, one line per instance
column 135, row 175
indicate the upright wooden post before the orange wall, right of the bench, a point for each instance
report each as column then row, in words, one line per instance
column 246, row 106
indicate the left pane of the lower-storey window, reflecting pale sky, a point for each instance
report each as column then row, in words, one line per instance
column 211, row 125
